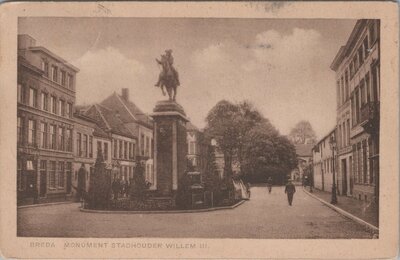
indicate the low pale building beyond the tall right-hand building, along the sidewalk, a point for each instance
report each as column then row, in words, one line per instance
column 323, row 160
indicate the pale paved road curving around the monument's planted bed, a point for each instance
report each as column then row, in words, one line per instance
column 264, row 216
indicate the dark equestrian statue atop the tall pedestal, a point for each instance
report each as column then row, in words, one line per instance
column 169, row 77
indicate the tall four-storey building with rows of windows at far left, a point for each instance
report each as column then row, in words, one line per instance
column 46, row 96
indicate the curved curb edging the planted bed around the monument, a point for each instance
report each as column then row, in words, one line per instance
column 160, row 211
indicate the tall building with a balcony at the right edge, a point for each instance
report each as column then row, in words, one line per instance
column 358, row 94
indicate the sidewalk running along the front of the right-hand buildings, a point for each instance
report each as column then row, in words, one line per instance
column 366, row 211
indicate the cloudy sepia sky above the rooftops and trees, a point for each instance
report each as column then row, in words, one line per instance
column 282, row 66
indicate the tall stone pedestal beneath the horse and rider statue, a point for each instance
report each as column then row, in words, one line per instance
column 170, row 148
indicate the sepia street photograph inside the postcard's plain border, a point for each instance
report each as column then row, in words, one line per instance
column 255, row 128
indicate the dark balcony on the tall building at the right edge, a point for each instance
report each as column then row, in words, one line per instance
column 370, row 117
